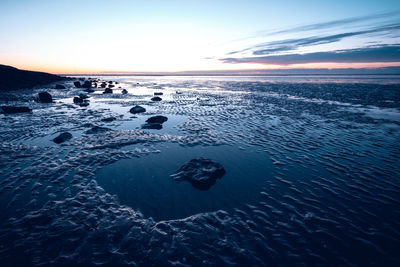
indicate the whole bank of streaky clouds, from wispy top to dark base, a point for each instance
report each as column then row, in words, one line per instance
column 385, row 32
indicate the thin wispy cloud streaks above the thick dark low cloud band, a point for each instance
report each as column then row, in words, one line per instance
column 311, row 34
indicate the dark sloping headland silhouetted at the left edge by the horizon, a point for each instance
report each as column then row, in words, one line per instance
column 12, row 78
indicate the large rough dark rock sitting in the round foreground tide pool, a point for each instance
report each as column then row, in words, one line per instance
column 202, row 173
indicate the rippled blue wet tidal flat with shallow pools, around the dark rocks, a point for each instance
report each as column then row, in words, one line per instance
column 312, row 174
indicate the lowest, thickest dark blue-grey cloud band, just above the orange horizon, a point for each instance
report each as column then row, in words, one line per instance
column 360, row 55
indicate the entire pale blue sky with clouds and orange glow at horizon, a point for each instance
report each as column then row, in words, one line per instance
column 166, row 36
